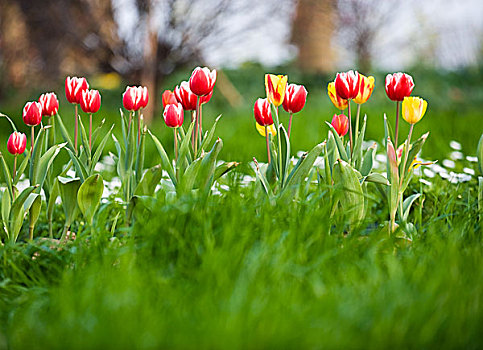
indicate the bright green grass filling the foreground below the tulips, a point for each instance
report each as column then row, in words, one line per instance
column 237, row 272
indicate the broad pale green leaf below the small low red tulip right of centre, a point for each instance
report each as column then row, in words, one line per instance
column 351, row 198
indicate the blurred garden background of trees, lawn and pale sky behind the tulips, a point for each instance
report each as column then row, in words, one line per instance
column 157, row 43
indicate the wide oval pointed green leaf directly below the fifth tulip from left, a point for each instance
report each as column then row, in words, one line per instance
column 89, row 196
